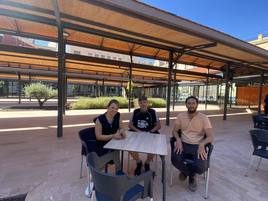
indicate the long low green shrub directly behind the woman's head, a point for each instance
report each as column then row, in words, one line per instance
column 97, row 103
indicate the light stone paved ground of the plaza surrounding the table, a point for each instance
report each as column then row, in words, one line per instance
column 34, row 161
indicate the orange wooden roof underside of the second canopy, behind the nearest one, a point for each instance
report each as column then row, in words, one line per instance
column 25, row 60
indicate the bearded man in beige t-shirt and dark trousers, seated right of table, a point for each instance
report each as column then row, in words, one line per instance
column 190, row 129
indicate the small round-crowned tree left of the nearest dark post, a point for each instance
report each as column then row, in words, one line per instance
column 41, row 92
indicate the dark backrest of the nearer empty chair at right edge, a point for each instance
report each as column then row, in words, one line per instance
column 259, row 139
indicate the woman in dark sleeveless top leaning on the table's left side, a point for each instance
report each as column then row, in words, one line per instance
column 108, row 126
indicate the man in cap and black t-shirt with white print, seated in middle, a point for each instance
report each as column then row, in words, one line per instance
column 143, row 119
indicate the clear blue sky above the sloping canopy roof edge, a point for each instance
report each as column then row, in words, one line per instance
column 243, row 19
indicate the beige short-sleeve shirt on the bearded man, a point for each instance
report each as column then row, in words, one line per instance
column 193, row 130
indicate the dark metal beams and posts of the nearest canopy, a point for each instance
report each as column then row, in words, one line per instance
column 56, row 19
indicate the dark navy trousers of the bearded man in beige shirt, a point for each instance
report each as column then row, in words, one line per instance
column 187, row 162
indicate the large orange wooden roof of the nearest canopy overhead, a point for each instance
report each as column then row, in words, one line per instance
column 126, row 26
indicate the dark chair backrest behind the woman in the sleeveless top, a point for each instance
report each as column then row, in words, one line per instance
column 88, row 140
